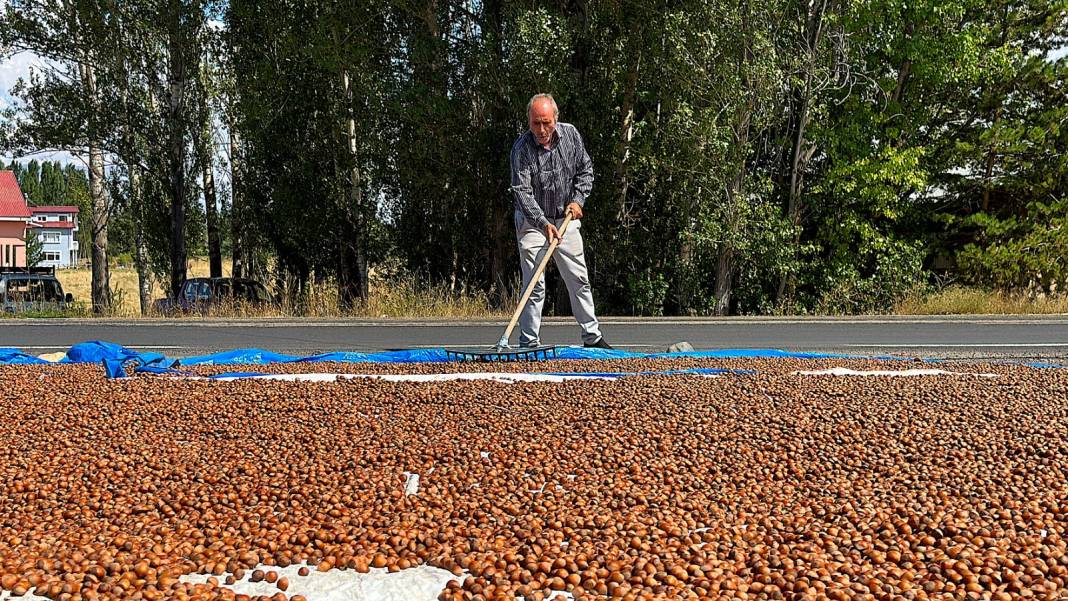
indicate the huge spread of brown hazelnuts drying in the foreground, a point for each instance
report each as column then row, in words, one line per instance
column 762, row 485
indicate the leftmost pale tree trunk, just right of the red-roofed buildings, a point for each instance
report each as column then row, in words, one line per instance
column 101, row 284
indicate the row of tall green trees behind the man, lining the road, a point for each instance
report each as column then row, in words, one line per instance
column 751, row 157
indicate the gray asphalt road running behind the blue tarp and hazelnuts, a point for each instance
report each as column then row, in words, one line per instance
column 953, row 338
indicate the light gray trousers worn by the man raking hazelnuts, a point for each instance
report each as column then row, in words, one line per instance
column 572, row 264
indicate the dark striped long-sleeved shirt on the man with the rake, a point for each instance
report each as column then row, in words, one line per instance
column 545, row 182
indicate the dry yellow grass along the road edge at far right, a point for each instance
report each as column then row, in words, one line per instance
column 959, row 300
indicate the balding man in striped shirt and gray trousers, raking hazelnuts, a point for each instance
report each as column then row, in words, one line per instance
column 553, row 176
